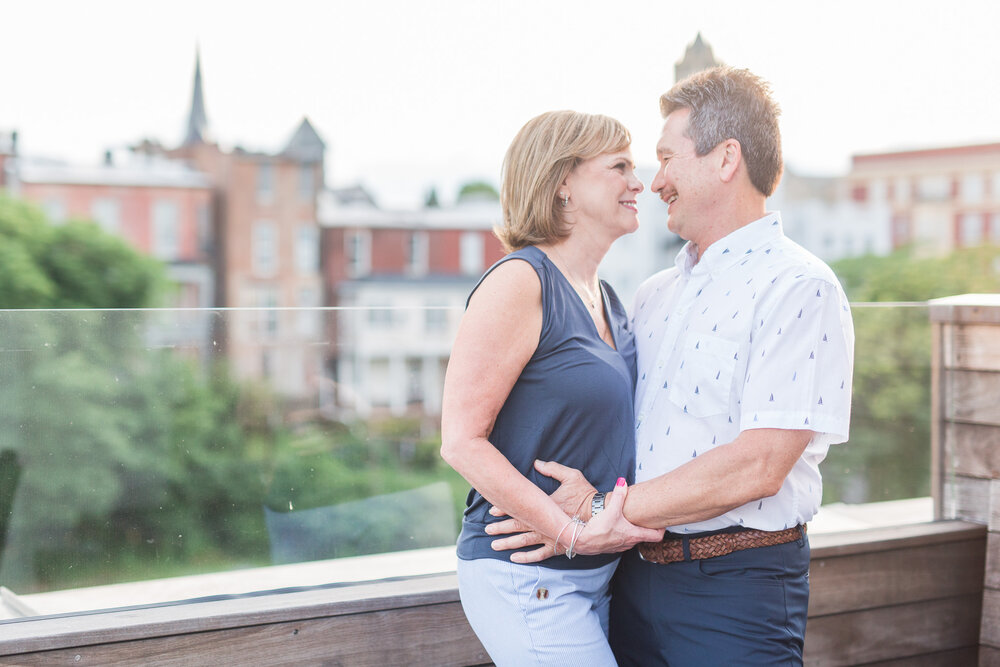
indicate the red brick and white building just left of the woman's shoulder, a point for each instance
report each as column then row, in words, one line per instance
column 402, row 278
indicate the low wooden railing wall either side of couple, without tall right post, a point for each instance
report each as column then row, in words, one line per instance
column 909, row 594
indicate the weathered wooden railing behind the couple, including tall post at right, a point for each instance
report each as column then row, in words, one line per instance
column 925, row 594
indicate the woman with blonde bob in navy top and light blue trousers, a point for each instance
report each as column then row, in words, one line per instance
column 543, row 367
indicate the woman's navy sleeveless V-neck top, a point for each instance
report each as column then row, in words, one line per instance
column 572, row 404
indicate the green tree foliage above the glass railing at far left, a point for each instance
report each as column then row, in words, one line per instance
column 75, row 265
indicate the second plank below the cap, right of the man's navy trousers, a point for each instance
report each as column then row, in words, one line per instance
column 893, row 633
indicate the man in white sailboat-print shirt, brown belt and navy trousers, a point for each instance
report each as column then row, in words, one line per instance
column 745, row 353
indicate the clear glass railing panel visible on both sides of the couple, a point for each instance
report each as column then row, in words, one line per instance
column 148, row 444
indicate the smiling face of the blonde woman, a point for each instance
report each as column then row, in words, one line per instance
column 602, row 190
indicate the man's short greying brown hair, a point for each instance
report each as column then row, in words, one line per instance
column 729, row 103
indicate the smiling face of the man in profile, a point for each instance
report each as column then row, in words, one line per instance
column 684, row 180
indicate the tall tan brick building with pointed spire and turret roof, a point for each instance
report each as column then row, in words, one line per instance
column 266, row 252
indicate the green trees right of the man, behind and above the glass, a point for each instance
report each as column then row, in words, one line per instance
column 888, row 455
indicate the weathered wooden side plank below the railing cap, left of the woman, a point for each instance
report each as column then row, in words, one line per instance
column 433, row 634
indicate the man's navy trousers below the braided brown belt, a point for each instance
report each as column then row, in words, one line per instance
column 746, row 608
